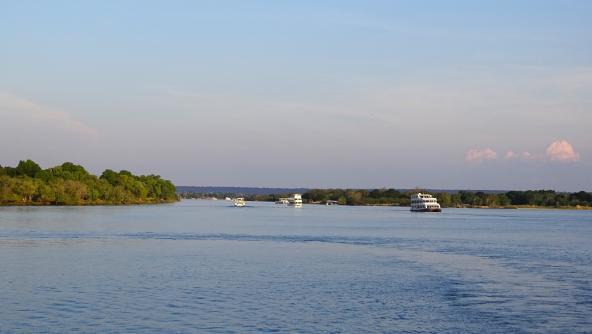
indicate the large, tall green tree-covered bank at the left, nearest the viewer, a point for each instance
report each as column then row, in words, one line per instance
column 71, row 184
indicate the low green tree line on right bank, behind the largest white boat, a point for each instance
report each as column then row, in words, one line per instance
column 547, row 198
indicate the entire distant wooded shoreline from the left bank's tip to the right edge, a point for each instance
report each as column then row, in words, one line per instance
column 470, row 199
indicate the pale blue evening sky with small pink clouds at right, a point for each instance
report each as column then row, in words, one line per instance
column 456, row 94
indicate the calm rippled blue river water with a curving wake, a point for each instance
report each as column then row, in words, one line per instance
column 202, row 266
